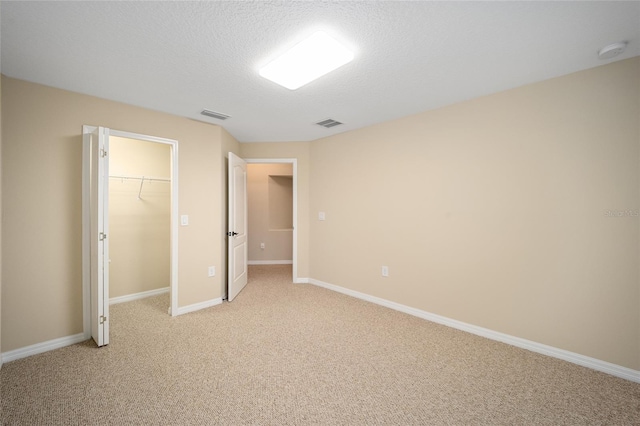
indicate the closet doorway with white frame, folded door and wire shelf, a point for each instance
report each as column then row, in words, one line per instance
column 130, row 222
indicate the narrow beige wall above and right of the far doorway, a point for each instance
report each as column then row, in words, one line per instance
column 301, row 152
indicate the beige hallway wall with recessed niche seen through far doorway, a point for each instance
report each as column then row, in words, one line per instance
column 263, row 213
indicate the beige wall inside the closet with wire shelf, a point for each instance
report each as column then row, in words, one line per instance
column 139, row 218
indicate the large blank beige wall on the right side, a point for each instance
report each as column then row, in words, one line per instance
column 494, row 212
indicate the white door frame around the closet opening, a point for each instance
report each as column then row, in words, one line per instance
column 86, row 228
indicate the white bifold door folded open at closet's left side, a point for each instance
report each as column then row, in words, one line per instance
column 98, row 146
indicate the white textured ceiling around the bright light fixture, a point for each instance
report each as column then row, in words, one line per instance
column 181, row 57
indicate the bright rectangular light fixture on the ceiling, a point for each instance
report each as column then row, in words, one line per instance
column 306, row 61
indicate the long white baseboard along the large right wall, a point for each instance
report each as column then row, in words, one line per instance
column 585, row 361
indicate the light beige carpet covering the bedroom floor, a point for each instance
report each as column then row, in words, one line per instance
column 292, row 354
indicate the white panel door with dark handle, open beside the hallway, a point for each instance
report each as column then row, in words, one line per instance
column 237, row 235
